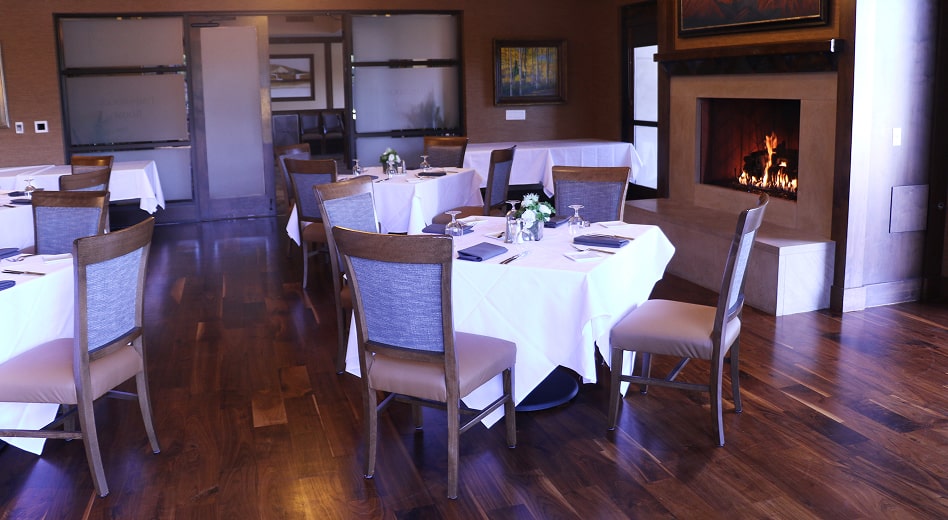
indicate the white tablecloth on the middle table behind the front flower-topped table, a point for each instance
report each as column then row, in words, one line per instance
column 407, row 203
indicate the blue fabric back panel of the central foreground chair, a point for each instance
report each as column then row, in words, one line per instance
column 401, row 303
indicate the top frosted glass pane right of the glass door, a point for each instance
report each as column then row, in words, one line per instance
column 404, row 37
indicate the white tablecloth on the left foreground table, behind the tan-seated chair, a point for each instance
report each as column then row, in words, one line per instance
column 37, row 309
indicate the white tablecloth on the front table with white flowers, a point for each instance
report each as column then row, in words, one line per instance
column 555, row 309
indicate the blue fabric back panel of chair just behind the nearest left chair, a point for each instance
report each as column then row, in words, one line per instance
column 57, row 227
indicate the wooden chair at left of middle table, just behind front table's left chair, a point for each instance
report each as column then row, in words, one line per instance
column 304, row 174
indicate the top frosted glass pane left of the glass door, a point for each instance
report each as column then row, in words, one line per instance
column 109, row 42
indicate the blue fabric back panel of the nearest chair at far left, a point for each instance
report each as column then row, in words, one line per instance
column 112, row 295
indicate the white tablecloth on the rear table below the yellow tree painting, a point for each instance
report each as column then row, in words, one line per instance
column 534, row 160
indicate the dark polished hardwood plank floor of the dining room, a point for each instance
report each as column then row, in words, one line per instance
column 845, row 417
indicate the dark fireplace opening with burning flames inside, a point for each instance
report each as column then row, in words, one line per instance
column 750, row 144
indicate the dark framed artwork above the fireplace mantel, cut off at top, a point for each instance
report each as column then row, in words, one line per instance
column 700, row 17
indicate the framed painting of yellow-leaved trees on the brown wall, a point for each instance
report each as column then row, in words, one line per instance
column 529, row 72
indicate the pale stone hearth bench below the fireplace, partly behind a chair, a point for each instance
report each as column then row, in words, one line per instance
column 790, row 271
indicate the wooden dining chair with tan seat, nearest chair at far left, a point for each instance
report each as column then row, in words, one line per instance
column 107, row 348
